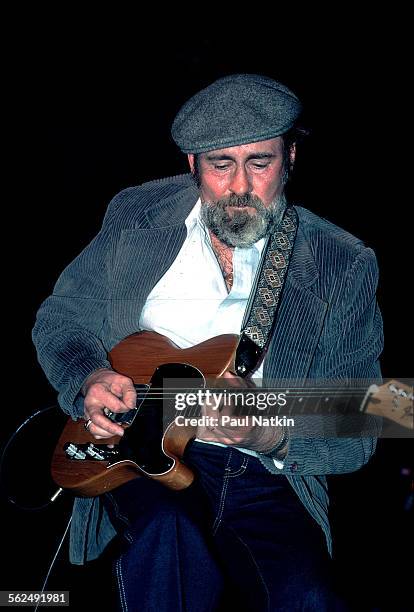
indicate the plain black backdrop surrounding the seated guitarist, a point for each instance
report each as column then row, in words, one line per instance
column 90, row 110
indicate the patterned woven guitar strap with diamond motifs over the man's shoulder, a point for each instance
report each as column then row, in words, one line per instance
column 265, row 296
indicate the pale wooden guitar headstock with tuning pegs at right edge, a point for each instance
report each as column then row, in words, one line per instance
column 393, row 400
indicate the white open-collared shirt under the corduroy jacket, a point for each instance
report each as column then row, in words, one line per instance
column 191, row 304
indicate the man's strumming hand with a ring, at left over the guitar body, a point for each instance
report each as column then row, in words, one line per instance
column 106, row 389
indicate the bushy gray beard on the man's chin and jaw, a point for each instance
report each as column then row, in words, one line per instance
column 242, row 229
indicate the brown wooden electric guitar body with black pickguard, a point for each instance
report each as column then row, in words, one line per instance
column 151, row 446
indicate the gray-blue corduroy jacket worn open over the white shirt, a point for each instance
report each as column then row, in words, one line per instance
column 328, row 327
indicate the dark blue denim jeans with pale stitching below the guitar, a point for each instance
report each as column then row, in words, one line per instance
column 237, row 530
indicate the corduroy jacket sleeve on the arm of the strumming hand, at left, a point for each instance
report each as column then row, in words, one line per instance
column 68, row 323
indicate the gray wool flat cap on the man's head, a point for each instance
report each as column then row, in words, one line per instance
column 237, row 109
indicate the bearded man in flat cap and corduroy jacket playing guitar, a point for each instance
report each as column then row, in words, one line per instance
column 179, row 256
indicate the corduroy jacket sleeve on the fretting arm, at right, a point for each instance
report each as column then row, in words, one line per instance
column 348, row 355
